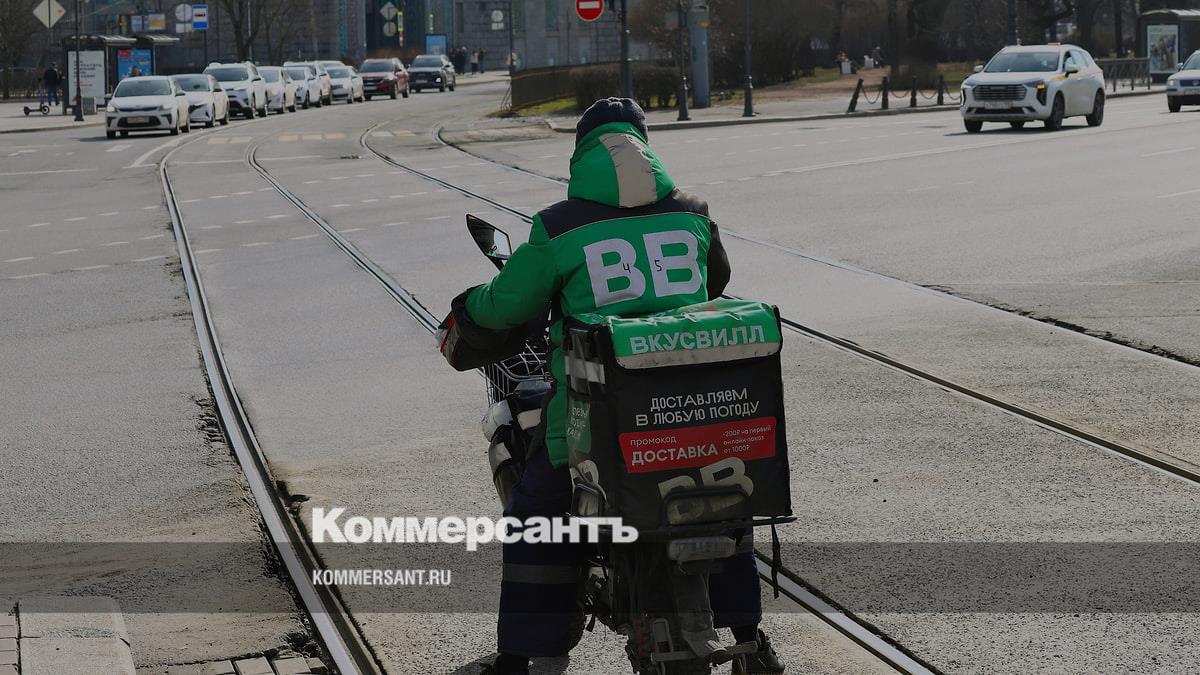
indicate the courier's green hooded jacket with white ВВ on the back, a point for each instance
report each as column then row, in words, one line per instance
column 625, row 243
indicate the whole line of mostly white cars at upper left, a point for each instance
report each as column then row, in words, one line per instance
column 244, row 89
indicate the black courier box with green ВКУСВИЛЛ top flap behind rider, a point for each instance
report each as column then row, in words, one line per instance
column 676, row 420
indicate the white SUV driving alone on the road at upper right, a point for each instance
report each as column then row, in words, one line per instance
column 1045, row 83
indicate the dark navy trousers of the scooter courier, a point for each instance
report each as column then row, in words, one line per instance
column 541, row 588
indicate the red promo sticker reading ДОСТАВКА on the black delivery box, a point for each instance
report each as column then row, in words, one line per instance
column 699, row 446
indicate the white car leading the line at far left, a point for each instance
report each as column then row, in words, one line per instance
column 147, row 104
